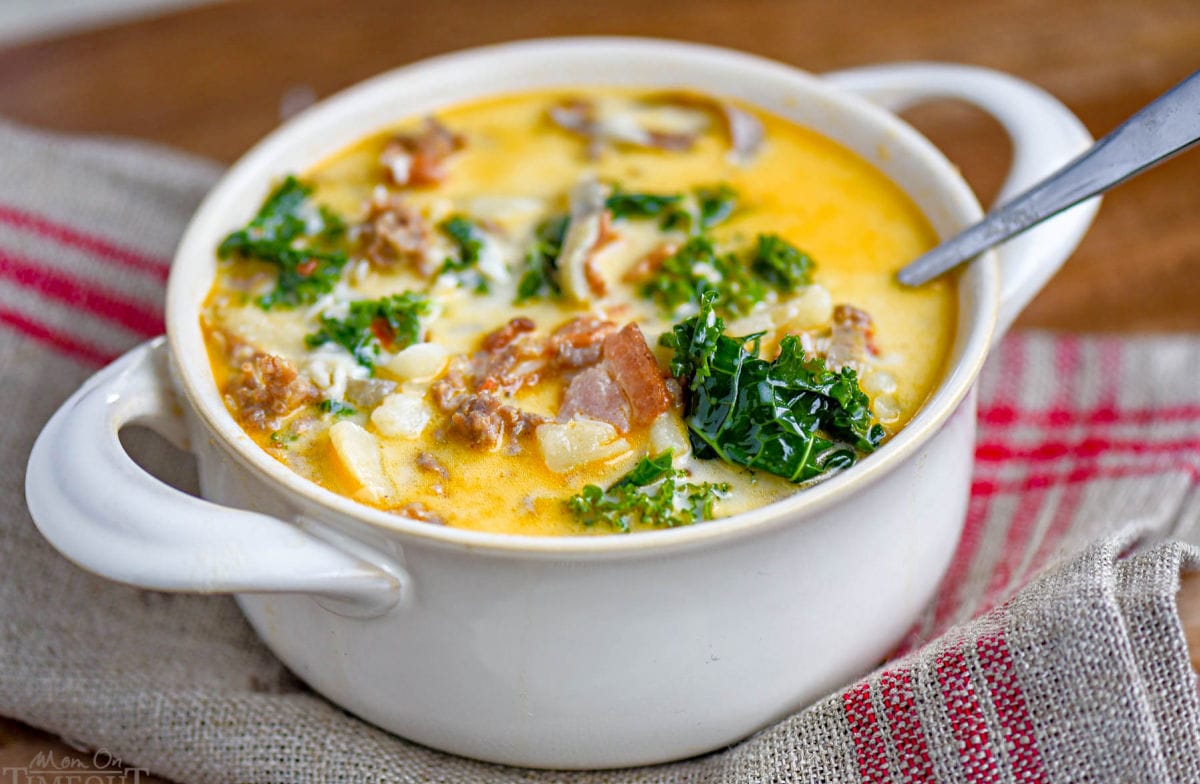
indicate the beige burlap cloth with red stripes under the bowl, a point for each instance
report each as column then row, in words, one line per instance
column 1054, row 653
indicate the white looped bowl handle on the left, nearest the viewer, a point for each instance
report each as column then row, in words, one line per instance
column 100, row 510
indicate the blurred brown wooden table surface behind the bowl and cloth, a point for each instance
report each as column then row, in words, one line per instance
column 213, row 80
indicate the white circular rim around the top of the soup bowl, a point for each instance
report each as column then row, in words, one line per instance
column 193, row 374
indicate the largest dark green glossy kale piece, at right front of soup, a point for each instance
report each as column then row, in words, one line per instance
column 791, row 417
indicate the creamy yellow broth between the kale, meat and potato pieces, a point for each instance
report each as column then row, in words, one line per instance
column 517, row 169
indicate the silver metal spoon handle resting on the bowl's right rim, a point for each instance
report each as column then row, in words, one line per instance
column 1167, row 127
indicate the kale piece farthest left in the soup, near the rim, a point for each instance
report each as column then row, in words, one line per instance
column 299, row 240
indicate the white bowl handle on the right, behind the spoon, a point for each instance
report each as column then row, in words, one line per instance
column 1045, row 134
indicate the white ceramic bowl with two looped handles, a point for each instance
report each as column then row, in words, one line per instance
column 560, row 653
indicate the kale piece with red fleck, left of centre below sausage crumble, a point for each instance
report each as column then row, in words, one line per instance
column 392, row 324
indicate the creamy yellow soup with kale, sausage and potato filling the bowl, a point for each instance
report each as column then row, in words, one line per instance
column 578, row 313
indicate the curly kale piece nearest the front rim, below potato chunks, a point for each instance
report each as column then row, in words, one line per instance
column 651, row 494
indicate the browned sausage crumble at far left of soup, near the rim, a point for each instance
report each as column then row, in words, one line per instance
column 268, row 390
